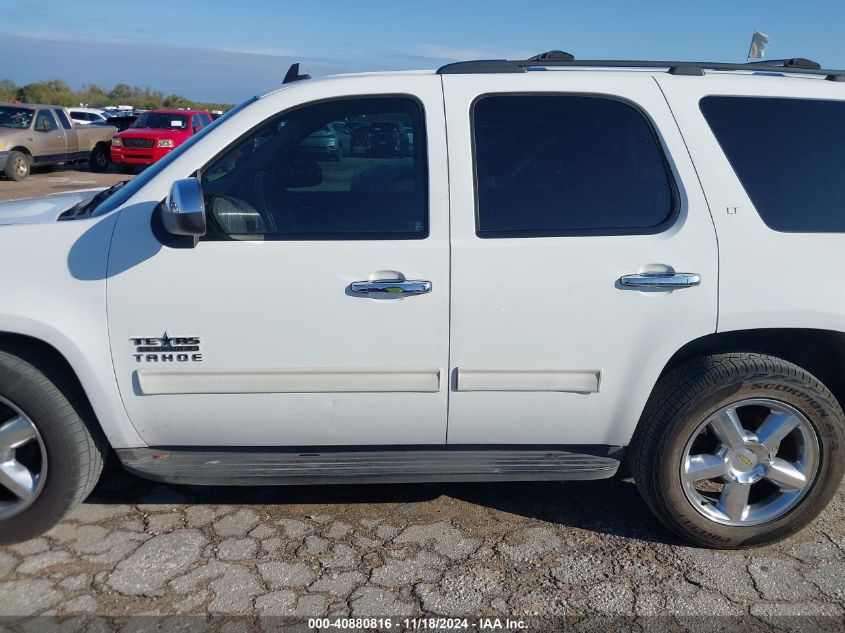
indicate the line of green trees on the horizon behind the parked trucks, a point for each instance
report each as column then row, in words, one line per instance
column 57, row 92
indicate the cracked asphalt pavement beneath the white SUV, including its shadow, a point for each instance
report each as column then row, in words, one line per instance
column 578, row 550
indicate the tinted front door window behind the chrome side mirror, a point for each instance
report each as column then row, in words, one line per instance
column 292, row 178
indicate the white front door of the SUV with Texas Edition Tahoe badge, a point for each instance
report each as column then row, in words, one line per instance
column 315, row 310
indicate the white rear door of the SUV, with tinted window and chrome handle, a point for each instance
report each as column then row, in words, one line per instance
column 562, row 185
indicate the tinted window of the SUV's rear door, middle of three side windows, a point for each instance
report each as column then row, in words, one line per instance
column 551, row 165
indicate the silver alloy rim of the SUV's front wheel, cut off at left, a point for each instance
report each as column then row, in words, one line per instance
column 23, row 460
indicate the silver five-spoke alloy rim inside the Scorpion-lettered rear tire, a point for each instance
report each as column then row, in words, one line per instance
column 750, row 462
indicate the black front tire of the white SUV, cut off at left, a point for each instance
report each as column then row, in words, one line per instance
column 36, row 392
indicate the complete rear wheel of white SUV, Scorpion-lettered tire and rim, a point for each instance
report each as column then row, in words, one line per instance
column 737, row 450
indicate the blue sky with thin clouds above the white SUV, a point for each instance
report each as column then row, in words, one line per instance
column 226, row 51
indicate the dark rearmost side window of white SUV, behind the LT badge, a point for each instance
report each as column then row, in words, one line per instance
column 789, row 154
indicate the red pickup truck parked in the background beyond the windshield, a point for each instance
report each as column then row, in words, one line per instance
column 153, row 135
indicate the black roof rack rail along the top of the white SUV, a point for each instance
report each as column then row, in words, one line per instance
column 559, row 59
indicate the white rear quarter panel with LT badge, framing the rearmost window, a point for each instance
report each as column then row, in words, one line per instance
column 768, row 279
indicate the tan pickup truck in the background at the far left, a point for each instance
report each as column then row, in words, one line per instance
column 36, row 135
